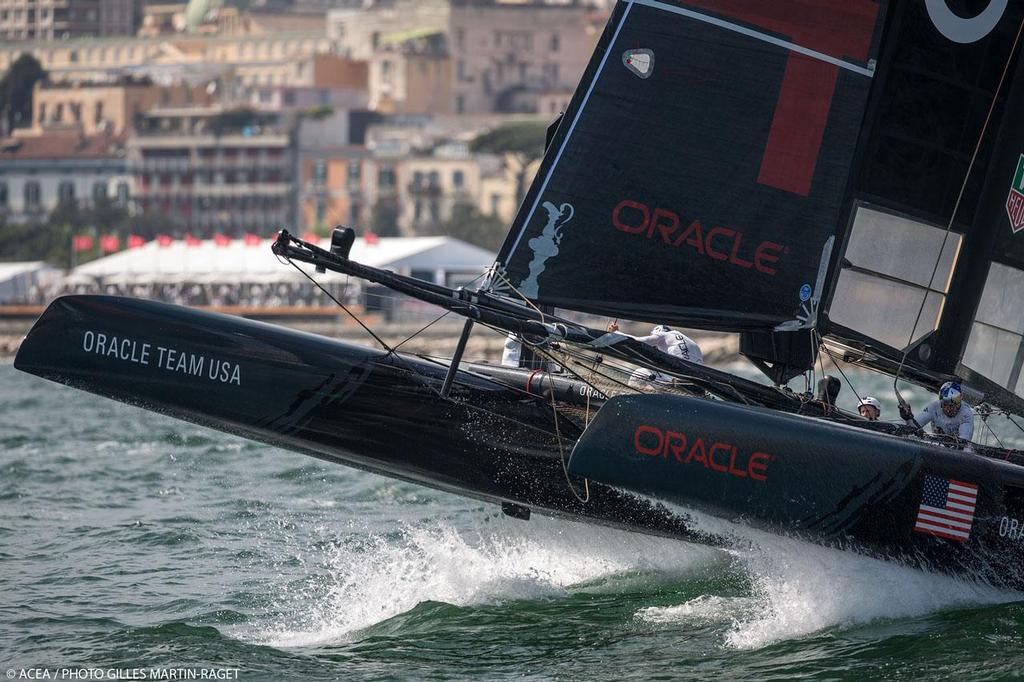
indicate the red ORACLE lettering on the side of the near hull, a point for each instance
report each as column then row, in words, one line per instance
column 720, row 457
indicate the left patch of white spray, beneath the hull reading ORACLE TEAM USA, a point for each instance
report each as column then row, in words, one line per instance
column 380, row 578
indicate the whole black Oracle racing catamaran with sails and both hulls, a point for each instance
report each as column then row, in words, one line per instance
column 820, row 177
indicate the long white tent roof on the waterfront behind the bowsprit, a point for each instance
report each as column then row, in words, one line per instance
column 240, row 263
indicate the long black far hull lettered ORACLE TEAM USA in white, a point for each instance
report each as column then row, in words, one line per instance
column 337, row 402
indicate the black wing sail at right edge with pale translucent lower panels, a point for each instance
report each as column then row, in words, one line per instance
column 943, row 147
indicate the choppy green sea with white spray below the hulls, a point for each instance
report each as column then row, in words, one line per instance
column 135, row 541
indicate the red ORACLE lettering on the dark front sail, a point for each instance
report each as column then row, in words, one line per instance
column 718, row 243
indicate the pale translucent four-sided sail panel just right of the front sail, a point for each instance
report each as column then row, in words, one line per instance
column 891, row 260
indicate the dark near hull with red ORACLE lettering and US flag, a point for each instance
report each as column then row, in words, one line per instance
column 827, row 483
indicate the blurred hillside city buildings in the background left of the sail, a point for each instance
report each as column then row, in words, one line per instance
column 229, row 122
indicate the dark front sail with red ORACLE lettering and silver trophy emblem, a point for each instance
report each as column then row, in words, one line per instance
column 699, row 175
